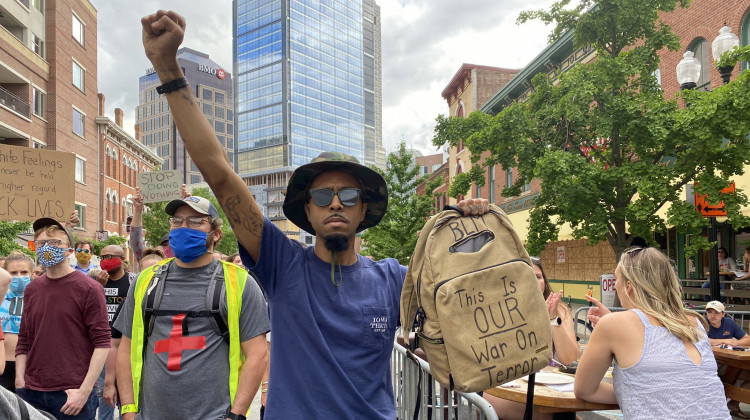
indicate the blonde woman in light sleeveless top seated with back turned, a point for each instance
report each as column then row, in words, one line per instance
column 664, row 365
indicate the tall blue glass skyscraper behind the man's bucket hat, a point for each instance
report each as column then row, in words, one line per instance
column 307, row 81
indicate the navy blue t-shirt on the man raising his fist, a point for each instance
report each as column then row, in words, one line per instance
column 331, row 346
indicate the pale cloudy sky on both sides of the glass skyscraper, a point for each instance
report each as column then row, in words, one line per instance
column 424, row 43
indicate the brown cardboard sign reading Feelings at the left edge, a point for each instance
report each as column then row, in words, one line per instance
column 36, row 183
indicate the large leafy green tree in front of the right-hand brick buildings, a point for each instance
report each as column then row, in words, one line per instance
column 642, row 149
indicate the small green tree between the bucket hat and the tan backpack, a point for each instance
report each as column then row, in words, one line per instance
column 396, row 235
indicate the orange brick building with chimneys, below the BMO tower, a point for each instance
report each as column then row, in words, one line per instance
column 121, row 158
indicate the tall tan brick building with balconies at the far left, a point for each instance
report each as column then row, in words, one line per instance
column 48, row 87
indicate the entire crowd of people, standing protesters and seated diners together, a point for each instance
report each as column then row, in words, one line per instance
column 181, row 330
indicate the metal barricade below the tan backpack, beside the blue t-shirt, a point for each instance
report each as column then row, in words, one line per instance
column 412, row 384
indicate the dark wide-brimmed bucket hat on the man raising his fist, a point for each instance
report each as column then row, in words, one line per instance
column 375, row 191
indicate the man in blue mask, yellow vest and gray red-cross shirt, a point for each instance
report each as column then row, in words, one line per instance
column 186, row 370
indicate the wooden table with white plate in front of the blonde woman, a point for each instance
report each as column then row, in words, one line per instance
column 548, row 400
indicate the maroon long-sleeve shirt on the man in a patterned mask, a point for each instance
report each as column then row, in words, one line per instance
column 64, row 320
